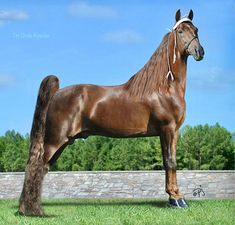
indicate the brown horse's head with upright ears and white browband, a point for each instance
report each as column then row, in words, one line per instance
column 186, row 35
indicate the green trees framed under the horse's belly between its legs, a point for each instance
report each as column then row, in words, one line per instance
column 100, row 153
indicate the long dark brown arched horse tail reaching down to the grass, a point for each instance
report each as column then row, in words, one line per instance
column 30, row 199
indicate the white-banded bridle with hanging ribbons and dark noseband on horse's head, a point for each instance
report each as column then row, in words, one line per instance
column 170, row 74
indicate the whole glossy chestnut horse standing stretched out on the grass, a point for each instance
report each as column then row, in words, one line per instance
column 151, row 103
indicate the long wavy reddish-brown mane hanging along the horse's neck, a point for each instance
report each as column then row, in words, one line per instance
column 152, row 77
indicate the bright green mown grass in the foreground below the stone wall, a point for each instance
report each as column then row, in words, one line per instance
column 122, row 212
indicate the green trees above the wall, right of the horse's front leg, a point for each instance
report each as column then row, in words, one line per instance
column 206, row 147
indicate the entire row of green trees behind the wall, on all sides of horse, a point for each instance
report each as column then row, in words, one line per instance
column 201, row 147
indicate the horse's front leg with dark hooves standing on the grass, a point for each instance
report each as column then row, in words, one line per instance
column 168, row 142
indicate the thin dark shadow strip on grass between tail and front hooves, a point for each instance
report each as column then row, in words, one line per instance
column 158, row 204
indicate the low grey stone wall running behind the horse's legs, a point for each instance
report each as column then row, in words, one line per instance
column 124, row 184
